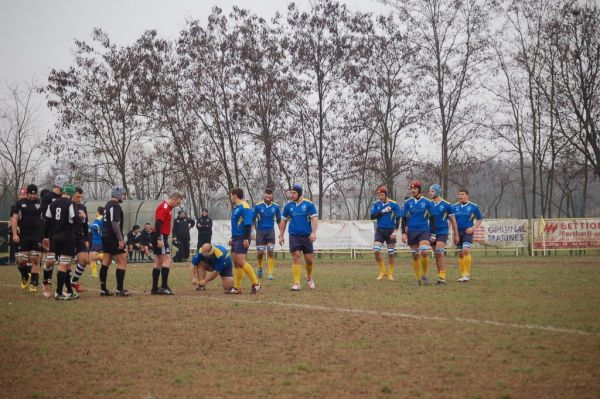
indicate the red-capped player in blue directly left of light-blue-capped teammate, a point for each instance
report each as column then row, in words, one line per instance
column 416, row 230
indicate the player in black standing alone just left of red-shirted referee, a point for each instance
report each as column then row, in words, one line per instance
column 113, row 242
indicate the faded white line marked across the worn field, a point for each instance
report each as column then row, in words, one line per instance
column 376, row 313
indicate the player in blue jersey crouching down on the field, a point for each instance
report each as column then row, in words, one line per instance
column 210, row 261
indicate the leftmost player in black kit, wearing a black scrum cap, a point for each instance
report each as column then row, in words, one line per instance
column 26, row 223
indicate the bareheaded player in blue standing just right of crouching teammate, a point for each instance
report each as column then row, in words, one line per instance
column 241, row 230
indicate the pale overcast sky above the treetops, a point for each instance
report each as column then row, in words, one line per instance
column 37, row 35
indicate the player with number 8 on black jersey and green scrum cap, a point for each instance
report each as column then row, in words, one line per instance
column 60, row 223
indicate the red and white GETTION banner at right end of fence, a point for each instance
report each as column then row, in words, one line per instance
column 566, row 233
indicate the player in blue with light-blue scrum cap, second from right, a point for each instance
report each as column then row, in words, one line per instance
column 442, row 214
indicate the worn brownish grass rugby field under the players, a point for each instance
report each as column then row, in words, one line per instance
column 523, row 327
